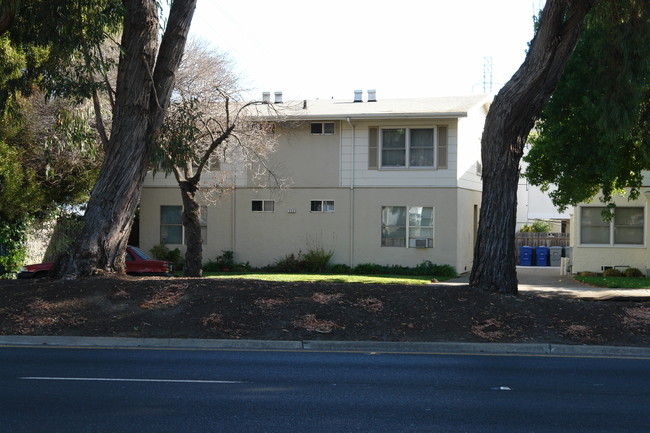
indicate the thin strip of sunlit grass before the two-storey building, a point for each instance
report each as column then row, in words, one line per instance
column 332, row 278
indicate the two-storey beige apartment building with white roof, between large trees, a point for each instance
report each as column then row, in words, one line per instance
column 388, row 182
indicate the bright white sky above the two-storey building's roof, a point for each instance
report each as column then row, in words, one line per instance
column 407, row 48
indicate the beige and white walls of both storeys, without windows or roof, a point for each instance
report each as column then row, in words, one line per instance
column 335, row 167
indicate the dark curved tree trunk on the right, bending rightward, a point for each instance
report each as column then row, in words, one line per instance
column 508, row 123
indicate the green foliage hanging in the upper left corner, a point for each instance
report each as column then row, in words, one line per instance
column 53, row 45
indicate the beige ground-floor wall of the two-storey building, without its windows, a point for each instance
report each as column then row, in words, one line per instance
column 262, row 238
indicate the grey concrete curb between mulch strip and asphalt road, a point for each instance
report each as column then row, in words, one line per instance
column 329, row 346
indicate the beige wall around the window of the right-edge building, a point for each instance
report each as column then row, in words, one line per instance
column 593, row 258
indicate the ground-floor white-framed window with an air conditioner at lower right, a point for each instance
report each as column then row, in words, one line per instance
column 407, row 226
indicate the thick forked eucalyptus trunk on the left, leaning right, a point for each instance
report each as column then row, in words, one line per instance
column 142, row 97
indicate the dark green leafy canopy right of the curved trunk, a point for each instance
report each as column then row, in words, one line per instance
column 594, row 133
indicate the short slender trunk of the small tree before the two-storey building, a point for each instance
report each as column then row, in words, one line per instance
column 192, row 227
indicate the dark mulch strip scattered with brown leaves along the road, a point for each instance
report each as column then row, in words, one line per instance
column 249, row 309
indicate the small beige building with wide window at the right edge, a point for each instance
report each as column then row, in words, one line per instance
column 623, row 242
